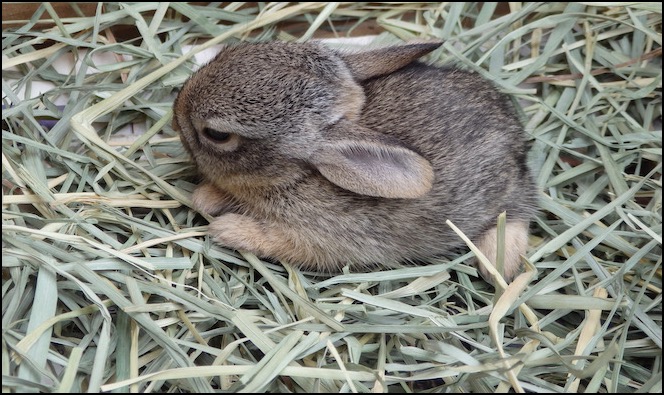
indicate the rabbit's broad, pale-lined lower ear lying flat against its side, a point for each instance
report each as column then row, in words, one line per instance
column 374, row 169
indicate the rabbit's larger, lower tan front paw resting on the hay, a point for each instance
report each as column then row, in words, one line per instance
column 241, row 232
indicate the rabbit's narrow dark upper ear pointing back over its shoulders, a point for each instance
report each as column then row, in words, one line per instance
column 372, row 63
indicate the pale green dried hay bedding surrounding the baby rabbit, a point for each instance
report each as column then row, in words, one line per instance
column 110, row 282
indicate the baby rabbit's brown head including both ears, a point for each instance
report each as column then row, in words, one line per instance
column 265, row 114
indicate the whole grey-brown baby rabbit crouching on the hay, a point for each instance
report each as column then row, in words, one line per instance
column 324, row 158
